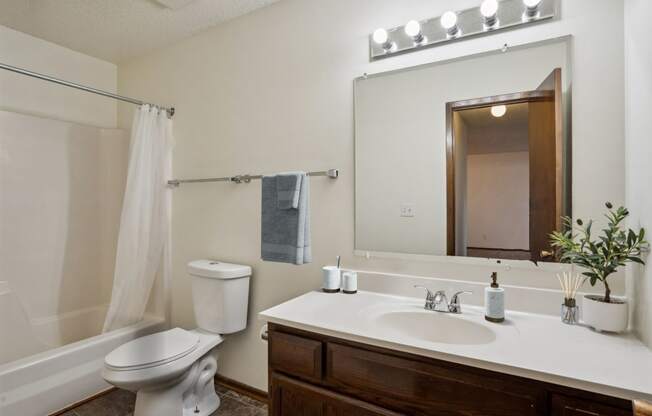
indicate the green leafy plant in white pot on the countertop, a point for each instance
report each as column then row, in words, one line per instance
column 601, row 257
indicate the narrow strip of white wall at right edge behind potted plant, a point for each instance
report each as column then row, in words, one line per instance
column 638, row 75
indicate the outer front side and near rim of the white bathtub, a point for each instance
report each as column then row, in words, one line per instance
column 52, row 380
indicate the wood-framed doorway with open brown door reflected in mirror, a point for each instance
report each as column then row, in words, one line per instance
column 505, row 173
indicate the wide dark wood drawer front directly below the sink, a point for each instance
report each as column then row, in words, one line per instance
column 424, row 387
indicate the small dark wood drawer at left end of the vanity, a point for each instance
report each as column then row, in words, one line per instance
column 296, row 355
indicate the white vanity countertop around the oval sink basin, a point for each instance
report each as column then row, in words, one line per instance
column 529, row 345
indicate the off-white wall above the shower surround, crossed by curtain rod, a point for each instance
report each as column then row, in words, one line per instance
column 27, row 95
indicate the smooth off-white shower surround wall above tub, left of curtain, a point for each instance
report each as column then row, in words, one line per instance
column 61, row 187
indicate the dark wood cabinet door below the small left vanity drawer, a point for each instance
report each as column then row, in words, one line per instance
column 292, row 397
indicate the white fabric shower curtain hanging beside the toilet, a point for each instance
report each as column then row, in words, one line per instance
column 143, row 242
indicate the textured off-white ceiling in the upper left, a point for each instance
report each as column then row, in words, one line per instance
column 117, row 30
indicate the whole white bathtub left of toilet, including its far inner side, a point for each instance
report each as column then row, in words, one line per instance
column 52, row 377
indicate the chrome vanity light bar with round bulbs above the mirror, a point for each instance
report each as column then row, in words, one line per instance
column 484, row 19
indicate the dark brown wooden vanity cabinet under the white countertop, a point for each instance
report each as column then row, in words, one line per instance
column 314, row 375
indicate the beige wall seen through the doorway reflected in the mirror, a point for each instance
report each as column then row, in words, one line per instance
column 498, row 192
